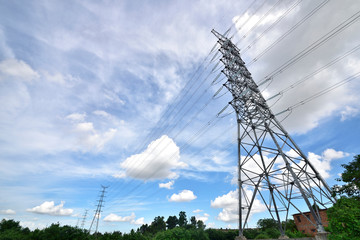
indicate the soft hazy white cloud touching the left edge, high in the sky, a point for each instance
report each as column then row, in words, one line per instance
column 18, row 69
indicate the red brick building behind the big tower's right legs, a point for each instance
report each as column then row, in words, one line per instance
column 304, row 226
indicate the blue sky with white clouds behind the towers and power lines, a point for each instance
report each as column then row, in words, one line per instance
column 117, row 93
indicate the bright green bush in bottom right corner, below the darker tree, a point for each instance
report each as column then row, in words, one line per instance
column 344, row 219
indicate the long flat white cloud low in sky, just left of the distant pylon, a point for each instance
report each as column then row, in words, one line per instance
column 50, row 208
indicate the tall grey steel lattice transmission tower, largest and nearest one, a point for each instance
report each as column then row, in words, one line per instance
column 272, row 169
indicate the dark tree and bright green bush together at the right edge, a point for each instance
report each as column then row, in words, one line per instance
column 344, row 216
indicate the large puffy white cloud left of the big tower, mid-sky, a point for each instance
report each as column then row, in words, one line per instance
column 157, row 162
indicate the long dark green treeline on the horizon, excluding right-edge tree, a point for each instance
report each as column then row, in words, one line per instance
column 173, row 228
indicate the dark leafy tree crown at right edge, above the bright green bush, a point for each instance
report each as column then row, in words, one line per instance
column 351, row 176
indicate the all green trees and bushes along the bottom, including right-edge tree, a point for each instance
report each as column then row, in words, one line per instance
column 344, row 222
